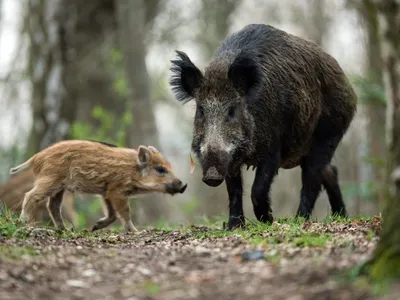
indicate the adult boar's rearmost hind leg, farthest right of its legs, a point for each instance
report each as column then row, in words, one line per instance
column 330, row 182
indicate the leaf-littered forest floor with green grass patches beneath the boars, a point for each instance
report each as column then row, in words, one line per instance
column 286, row 260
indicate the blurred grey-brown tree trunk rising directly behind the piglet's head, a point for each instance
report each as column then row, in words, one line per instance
column 131, row 18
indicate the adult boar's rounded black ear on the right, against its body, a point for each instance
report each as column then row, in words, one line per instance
column 244, row 73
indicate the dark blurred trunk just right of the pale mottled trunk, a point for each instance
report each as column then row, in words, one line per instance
column 94, row 72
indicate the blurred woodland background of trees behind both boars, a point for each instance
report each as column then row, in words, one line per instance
column 99, row 70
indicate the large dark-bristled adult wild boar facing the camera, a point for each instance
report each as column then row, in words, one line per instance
column 269, row 100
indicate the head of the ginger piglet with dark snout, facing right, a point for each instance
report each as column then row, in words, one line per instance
column 156, row 172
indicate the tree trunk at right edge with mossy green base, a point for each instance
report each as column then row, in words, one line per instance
column 386, row 260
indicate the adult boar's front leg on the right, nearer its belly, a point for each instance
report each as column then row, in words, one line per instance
column 265, row 174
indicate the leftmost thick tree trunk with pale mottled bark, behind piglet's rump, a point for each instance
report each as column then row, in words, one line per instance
column 52, row 109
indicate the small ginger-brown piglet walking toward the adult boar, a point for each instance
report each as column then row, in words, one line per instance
column 96, row 168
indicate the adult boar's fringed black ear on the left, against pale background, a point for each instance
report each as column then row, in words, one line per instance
column 186, row 78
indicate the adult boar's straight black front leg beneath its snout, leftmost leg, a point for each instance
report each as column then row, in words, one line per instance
column 235, row 191
